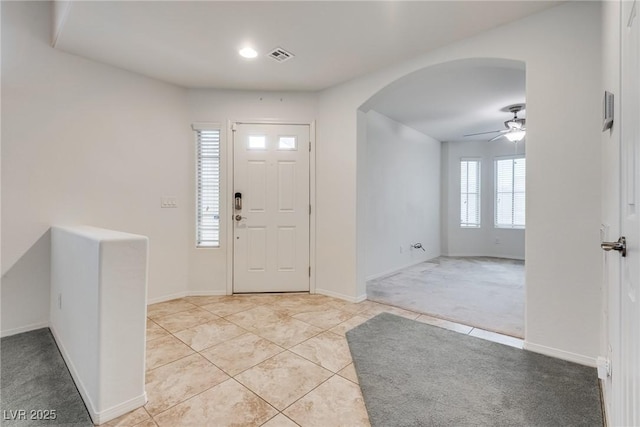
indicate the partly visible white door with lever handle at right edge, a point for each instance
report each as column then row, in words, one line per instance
column 627, row 375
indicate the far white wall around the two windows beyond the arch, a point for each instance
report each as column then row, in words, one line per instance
column 485, row 240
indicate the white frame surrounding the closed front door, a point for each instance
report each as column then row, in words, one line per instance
column 229, row 193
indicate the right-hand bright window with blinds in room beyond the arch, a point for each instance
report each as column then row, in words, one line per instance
column 510, row 192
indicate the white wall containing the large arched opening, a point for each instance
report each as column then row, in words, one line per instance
column 561, row 49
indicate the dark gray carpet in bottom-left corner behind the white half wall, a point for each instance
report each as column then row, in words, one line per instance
column 35, row 378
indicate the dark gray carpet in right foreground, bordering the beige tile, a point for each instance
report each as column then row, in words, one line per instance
column 414, row 374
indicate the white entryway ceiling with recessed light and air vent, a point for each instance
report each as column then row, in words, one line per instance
column 195, row 43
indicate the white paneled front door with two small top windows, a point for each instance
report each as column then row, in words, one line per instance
column 271, row 212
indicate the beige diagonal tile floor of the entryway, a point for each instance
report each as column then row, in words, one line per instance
column 259, row 360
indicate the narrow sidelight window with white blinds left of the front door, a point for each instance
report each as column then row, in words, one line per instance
column 208, row 188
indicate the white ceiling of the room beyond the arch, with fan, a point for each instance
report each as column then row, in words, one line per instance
column 451, row 100
